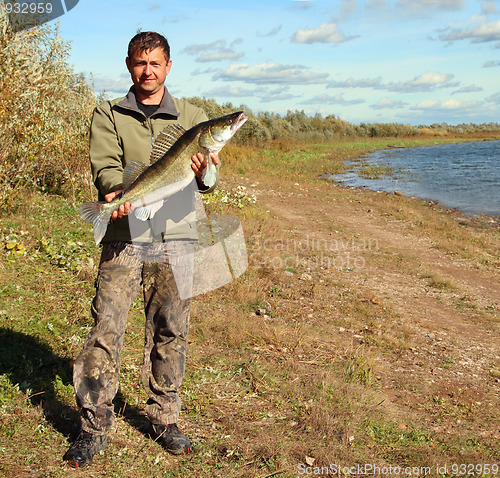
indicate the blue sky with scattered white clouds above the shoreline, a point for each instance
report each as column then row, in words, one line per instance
column 416, row 62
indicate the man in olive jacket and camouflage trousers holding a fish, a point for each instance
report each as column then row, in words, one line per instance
column 123, row 130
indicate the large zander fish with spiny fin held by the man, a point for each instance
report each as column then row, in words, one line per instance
column 146, row 186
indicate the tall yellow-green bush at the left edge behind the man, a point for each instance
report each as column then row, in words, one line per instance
column 45, row 110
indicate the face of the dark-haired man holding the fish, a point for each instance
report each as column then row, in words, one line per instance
column 148, row 70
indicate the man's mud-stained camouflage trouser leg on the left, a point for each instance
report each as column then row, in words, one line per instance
column 97, row 368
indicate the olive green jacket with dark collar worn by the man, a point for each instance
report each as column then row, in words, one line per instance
column 120, row 133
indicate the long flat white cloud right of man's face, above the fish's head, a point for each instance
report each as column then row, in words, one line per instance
column 271, row 73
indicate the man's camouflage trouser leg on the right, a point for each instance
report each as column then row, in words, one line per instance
column 167, row 302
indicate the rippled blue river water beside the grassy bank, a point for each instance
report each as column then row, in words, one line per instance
column 464, row 176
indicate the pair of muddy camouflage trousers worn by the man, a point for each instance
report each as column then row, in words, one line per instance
column 160, row 268
